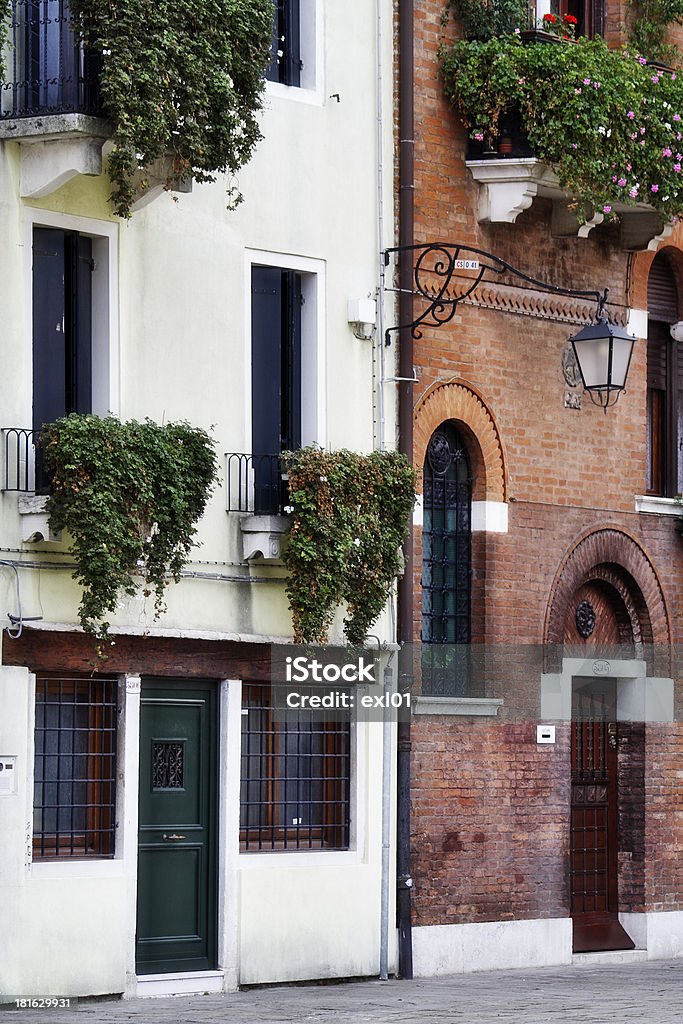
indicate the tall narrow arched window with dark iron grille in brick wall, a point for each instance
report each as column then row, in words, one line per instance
column 447, row 563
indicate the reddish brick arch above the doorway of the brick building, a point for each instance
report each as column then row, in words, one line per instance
column 615, row 558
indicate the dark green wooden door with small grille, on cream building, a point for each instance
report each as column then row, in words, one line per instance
column 177, row 877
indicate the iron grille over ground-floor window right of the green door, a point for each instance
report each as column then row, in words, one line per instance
column 295, row 792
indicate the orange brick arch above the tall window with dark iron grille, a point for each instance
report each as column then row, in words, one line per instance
column 461, row 403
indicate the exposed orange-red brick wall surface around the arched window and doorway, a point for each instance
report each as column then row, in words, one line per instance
column 491, row 808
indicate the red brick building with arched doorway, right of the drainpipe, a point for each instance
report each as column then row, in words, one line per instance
column 547, row 533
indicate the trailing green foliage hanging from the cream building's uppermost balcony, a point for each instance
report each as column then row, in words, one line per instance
column 181, row 79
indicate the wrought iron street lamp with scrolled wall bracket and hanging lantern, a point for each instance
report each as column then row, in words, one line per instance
column 603, row 350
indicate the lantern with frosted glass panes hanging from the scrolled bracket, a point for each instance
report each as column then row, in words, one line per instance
column 604, row 354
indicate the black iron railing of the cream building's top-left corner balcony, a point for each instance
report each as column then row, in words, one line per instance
column 51, row 72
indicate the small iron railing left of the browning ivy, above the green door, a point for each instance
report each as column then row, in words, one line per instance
column 257, row 484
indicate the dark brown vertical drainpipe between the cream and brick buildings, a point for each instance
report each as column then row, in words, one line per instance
column 406, row 238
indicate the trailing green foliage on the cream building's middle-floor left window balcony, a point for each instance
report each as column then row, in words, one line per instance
column 130, row 494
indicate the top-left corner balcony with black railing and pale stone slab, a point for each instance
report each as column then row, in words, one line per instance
column 52, row 104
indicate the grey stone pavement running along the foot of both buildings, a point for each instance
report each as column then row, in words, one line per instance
column 650, row 994
